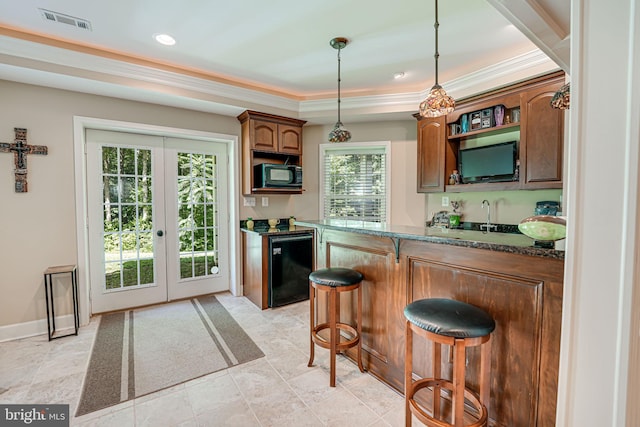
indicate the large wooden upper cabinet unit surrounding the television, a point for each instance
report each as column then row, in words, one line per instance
column 527, row 117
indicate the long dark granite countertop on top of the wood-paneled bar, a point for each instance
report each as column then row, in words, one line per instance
column 502, row 242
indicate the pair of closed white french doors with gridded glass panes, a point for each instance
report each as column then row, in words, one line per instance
column 157, row 215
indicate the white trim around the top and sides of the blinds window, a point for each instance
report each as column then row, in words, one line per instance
column 355, row 147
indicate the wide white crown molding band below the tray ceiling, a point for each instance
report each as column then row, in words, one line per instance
column 52, row 66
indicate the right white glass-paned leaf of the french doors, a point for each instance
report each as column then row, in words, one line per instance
column 198, row 246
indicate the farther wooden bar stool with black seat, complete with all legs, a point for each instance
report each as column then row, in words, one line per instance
column 334, row 281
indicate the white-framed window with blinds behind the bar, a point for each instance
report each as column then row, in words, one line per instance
column 355, row 181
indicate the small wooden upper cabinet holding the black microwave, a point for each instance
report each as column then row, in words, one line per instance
column 267, row 138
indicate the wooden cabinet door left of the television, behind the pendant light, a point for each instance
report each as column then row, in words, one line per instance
column 431, row 155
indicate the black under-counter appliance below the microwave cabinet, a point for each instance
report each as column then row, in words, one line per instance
column 290, row 263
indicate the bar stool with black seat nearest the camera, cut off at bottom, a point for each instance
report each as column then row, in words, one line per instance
column 459, row 325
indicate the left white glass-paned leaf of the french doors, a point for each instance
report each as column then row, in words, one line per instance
column 125, row 206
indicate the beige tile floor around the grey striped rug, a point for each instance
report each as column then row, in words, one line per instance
column 277, row 390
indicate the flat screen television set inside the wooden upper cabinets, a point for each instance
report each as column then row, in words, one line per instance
column 490, row 163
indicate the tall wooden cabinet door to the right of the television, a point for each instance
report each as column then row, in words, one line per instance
column 541, row 139
